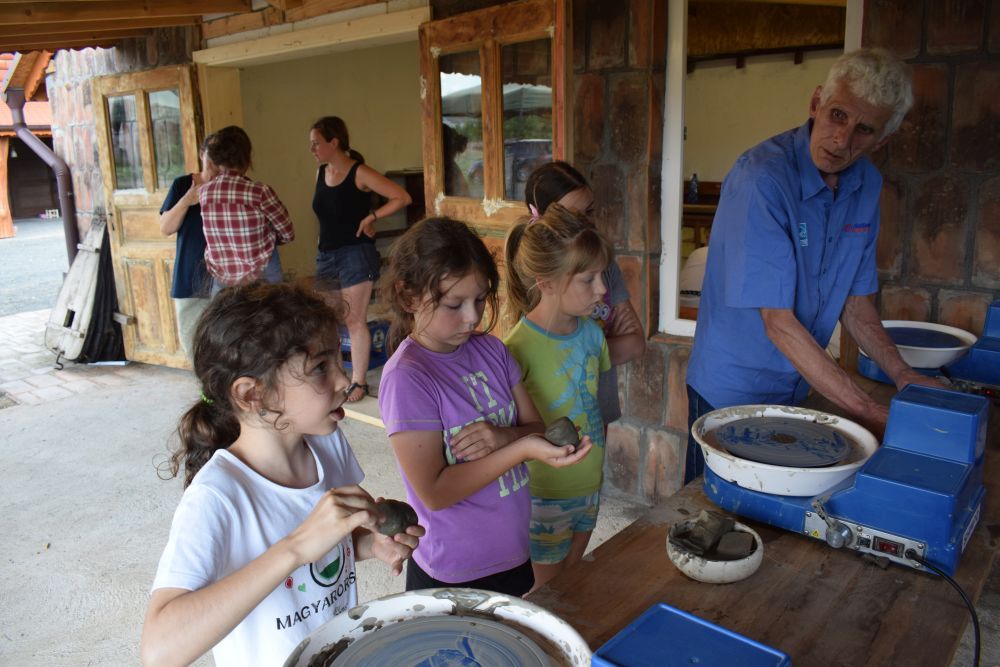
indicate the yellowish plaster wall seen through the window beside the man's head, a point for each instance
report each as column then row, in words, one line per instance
column 728, row 110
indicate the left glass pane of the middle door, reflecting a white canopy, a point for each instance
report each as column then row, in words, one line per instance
column 462, row 124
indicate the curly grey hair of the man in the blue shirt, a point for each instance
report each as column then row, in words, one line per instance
column 877, row 77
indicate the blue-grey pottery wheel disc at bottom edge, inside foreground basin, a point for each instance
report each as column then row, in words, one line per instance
column 445, row 641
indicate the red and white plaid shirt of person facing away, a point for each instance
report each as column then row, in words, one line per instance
column 243, row 221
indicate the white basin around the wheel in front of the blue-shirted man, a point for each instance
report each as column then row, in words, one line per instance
column 781, row 480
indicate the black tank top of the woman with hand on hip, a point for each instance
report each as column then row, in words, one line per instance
column 340, row 210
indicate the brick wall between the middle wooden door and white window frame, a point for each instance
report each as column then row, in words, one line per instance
column 618, row 85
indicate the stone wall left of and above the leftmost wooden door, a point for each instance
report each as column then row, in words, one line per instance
column 74, row 132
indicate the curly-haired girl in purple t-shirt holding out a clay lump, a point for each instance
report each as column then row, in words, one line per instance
column 459, row 421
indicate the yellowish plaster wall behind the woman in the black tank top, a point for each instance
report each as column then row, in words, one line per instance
column 377, row 93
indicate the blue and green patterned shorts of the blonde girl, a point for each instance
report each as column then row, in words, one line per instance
column 553, row 523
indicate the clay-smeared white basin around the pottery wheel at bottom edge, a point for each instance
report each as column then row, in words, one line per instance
column 392, row 609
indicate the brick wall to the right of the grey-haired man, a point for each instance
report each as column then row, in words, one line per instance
column 939, row 250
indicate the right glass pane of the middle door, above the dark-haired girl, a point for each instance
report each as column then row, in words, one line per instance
column 527, row 112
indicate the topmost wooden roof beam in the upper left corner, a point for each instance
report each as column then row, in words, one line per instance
column 14, row 13
